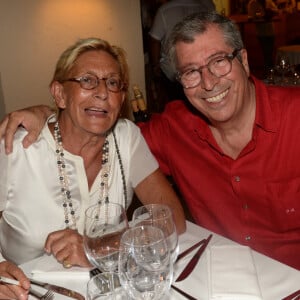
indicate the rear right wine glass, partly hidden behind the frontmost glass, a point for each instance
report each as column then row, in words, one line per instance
column 159, row 215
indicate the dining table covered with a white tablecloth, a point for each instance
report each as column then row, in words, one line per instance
column 276, row 280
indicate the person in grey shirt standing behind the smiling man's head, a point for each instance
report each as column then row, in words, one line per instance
column 167, row 15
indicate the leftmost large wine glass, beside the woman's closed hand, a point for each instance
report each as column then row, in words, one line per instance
column 103, row 228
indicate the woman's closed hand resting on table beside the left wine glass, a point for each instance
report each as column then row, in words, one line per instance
column 67, row 247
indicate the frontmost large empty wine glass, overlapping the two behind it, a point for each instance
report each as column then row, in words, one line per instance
column 145, row 268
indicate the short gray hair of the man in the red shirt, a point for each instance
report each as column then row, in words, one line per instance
column 198, row 23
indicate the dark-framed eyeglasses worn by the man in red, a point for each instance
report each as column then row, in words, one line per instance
column 219, row 67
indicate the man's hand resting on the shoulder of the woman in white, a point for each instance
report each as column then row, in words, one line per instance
column 31, row 118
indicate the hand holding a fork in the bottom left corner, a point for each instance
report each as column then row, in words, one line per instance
column 10, row 291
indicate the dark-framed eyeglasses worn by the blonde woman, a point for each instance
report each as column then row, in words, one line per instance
column 89, row 81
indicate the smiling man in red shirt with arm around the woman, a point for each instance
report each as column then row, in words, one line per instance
column 232, row 148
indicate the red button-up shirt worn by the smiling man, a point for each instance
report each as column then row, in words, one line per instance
column 254, row 199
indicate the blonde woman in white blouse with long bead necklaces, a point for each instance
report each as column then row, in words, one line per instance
column 85, row 155
